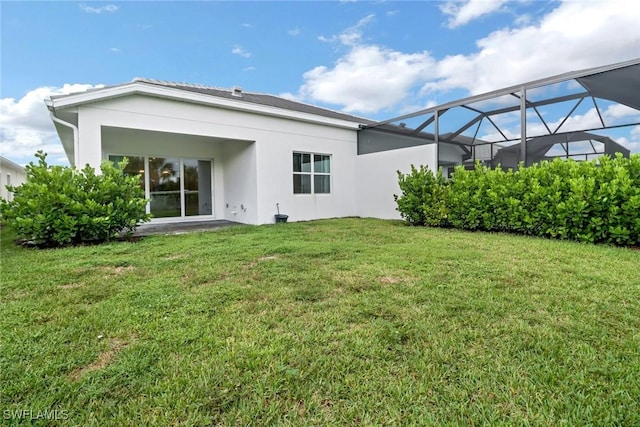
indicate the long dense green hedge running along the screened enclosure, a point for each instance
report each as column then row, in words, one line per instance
column 594, row 201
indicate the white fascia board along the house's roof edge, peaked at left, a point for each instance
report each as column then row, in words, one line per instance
column 139, row 88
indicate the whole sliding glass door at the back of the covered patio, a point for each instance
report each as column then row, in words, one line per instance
column 176, row 187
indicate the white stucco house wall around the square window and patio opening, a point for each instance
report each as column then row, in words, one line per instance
column 269, row 157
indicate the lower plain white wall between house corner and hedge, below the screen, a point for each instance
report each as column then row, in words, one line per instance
column 378, row 179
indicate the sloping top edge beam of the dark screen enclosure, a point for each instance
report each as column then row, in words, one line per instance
column 516, row 88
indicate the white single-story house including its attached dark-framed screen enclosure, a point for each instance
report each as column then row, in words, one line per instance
column 210, row 153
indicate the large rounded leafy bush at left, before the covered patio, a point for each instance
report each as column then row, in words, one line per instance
column 61, row 205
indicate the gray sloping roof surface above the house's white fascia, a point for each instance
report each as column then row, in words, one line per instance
column 256, row 98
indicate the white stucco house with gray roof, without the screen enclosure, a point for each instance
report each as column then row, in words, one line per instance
column 210, row 153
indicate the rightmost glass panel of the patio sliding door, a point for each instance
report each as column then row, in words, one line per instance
column 197, row 187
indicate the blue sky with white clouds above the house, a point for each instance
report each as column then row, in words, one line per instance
column 375, row 59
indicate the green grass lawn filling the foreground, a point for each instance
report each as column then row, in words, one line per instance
column 337, row 322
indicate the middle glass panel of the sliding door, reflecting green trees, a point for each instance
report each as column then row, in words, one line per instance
column 164, row 187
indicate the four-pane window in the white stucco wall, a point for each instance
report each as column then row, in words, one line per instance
column 311, row 173
